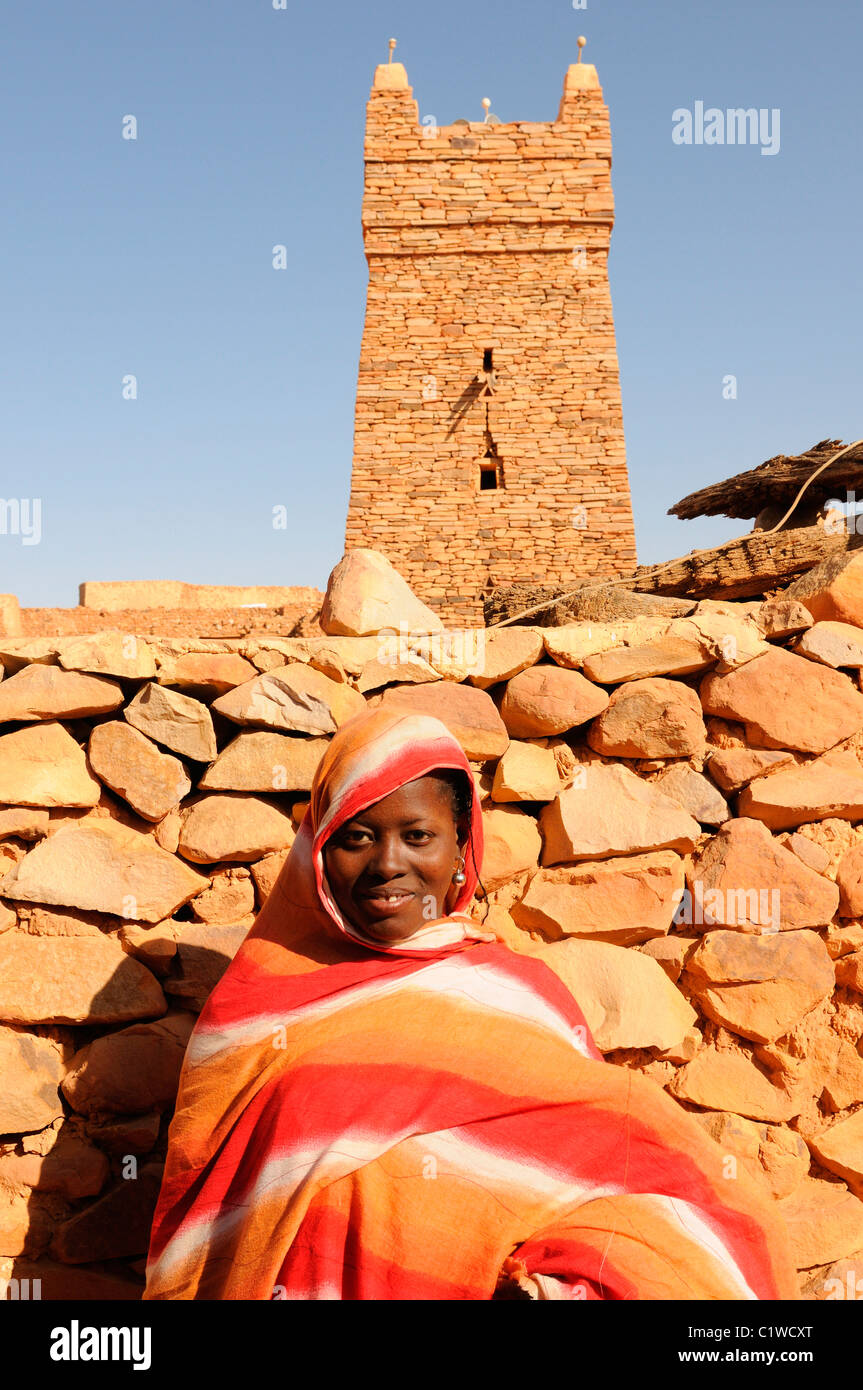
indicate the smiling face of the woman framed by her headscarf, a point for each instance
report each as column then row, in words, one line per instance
column 405, row 846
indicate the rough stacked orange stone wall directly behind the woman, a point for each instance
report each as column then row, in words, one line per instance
column 675, row 824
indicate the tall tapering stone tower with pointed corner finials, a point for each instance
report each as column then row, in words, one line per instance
column 488, row 437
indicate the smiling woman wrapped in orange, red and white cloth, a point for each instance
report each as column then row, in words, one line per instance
column 383, row 1102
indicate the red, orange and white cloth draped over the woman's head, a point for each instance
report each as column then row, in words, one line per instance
column 370, row 757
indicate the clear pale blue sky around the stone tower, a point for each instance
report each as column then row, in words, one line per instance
column 154, row 258
